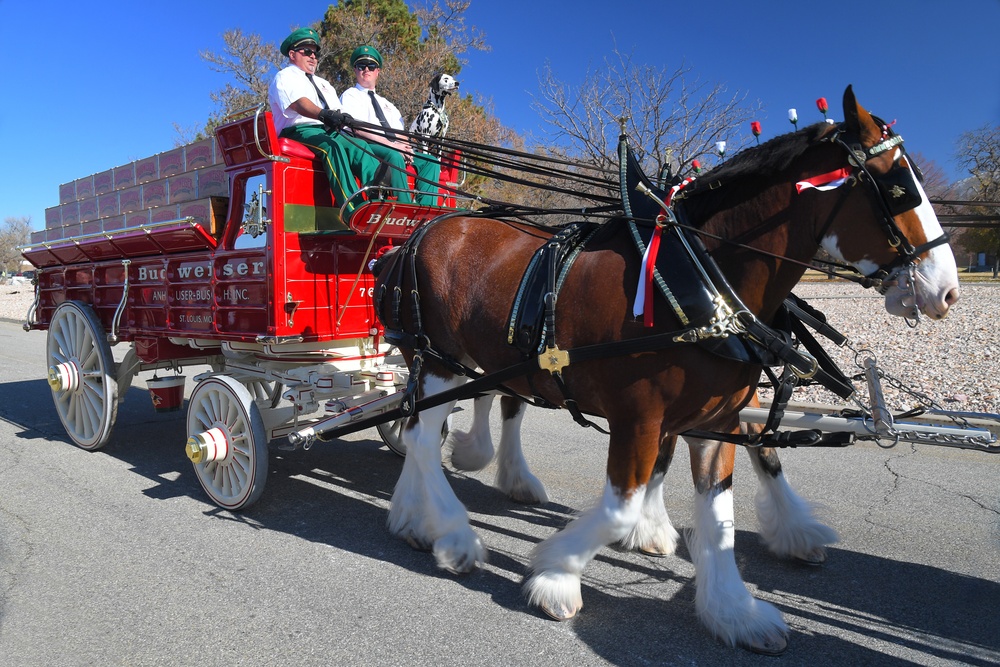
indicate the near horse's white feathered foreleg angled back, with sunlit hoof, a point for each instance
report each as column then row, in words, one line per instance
column 557, row 563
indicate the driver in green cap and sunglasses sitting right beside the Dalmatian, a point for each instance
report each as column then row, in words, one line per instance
column 392, row 148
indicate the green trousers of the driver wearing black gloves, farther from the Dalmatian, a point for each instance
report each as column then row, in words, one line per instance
column 341, row 159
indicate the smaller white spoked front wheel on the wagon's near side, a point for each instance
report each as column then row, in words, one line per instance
column 226, row 442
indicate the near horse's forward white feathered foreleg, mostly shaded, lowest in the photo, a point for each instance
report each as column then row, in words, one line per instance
column 722, row 600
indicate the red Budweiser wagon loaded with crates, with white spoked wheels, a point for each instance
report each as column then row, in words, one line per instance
column 270, row 288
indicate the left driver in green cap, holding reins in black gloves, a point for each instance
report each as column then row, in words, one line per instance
column 305, row 107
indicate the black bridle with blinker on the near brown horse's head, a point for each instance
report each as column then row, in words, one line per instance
column 896, row 192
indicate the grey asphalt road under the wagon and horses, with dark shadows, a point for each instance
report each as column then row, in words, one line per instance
column 117, row 558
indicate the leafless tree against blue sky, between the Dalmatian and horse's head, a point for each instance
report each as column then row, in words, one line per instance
column 670, row 118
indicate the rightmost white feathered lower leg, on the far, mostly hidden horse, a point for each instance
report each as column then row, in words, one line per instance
column 788, row 524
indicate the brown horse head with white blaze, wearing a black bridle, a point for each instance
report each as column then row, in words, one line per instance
column 916, row 270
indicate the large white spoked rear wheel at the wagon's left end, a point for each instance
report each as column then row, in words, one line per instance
column 82, row 374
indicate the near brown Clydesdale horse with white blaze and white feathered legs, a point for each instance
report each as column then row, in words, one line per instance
column 468, row 269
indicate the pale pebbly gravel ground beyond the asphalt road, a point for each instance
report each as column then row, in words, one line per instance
column 953, row 361
